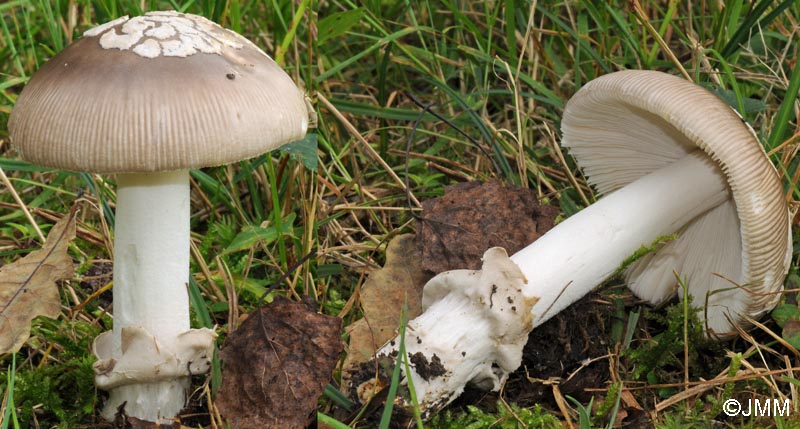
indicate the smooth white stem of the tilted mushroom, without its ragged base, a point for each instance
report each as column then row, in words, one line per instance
column 573, row 258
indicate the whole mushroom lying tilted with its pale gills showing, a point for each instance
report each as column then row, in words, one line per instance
column 671, row 158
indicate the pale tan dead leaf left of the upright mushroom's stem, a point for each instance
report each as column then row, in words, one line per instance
column 27, row 286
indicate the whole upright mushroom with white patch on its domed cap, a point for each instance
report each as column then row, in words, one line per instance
column 148, row 98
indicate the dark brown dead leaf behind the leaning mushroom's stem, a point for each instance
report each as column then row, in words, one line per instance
column 457, row 228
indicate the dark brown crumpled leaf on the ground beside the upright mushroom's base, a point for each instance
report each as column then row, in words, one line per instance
column 276, row 365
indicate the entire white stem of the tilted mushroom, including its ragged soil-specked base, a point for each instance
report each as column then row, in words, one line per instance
column 476, row 323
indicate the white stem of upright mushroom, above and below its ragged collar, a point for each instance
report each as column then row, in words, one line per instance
column 151, row 269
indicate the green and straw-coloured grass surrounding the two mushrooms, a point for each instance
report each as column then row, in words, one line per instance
column 411, row 96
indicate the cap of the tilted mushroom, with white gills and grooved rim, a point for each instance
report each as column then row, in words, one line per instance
column 734, row 258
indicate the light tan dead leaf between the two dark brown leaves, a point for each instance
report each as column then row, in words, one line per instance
column 382, row 298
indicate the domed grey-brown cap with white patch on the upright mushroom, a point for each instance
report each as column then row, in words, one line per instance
column 163, row 91
